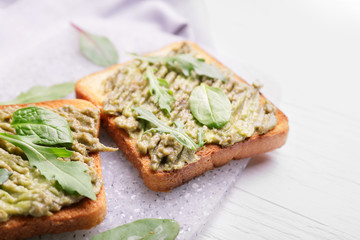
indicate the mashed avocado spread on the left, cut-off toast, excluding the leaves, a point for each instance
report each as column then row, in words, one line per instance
column 27, row 192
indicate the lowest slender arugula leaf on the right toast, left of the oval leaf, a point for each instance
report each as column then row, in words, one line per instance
column 178, row 133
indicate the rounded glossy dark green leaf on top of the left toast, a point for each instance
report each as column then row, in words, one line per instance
column 44, row 126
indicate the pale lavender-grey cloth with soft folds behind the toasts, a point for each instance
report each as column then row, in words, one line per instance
column 38, row 45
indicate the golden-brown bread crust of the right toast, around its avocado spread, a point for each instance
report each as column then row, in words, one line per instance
column 89, row 88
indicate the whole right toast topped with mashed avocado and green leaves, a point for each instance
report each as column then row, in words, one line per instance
column 178, row 112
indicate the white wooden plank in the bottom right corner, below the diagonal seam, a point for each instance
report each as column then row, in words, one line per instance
column 247, row 216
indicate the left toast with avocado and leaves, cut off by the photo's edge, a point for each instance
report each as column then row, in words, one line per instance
column 50, row 168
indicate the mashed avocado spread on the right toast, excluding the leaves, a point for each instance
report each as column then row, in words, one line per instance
column 128, row 88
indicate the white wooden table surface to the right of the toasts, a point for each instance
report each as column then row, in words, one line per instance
column 307, row 54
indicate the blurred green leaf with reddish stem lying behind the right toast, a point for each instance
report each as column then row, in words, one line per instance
column 98, row 49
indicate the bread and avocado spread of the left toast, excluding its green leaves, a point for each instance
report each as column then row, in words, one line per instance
column 77, row 212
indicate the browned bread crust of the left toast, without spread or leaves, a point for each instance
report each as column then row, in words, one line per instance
column 82, row 215
